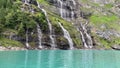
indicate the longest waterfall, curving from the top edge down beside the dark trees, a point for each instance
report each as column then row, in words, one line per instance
column 50, row 27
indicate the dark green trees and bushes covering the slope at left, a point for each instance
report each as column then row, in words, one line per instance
column 15, row 21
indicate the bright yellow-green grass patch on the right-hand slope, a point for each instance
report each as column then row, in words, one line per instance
column 111, row 21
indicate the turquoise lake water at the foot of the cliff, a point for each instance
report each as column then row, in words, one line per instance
column 60, row 59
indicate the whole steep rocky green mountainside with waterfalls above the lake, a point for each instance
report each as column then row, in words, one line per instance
column 62, row 24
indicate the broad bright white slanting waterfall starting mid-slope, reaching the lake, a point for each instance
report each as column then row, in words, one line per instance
column 67, row 36
